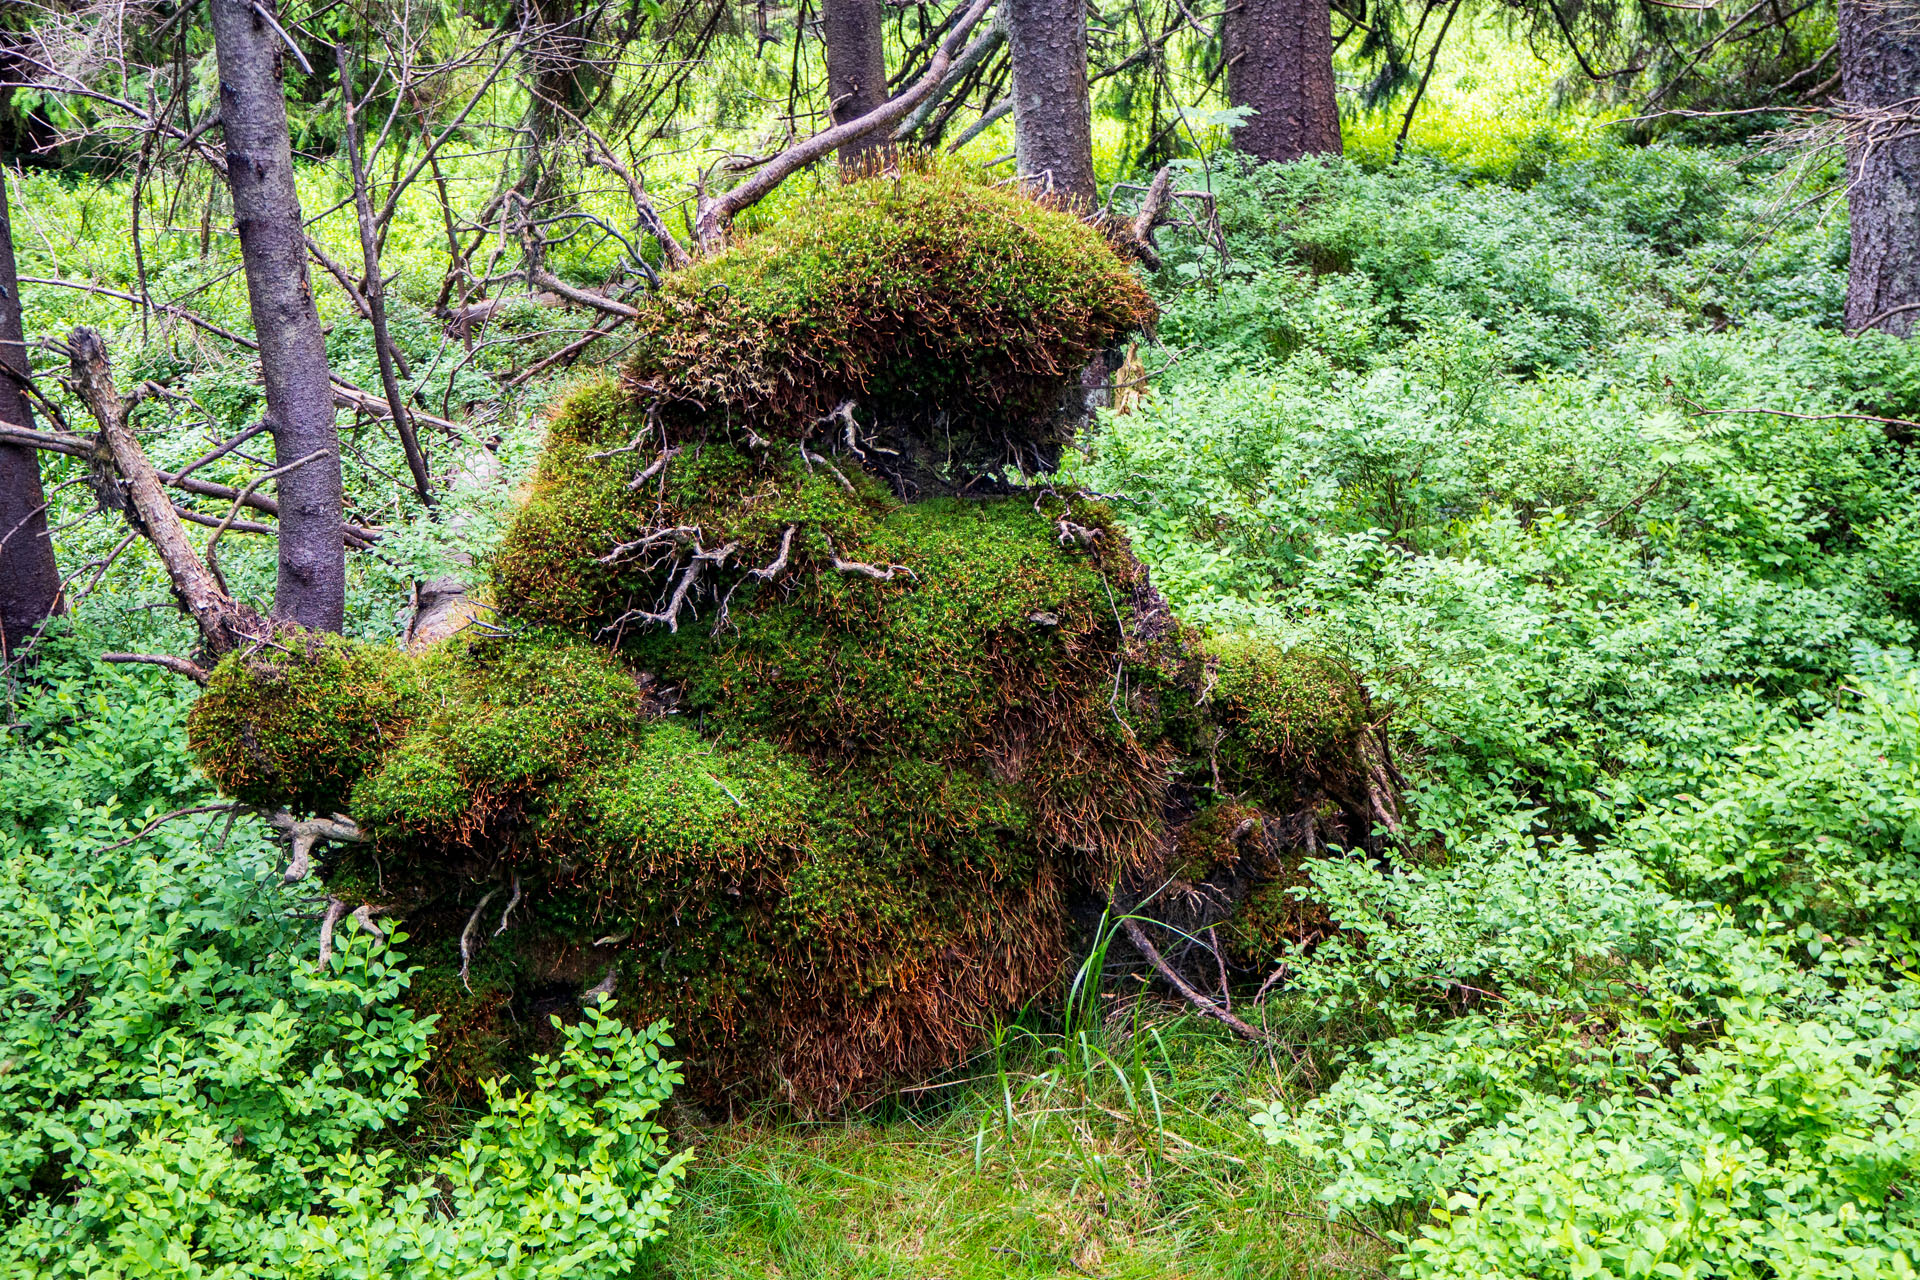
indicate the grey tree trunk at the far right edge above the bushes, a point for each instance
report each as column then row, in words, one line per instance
column 1881, row 85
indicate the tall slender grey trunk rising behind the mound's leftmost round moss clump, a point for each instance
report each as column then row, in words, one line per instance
column 293, row 354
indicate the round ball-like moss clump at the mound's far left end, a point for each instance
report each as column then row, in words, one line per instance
column 297, row 723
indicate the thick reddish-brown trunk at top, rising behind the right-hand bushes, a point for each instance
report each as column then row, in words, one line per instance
column 1280, row 62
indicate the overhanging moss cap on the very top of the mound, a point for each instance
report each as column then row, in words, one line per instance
column 951, row 314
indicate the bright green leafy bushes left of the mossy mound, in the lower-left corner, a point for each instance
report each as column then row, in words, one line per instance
column 185, row 1093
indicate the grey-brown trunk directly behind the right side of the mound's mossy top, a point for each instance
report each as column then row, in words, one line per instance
column 1053, row 120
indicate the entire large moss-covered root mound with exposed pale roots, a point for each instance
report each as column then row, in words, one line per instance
column 765, row 747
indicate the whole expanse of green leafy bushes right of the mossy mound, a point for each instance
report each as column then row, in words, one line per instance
column 1629, row 586
